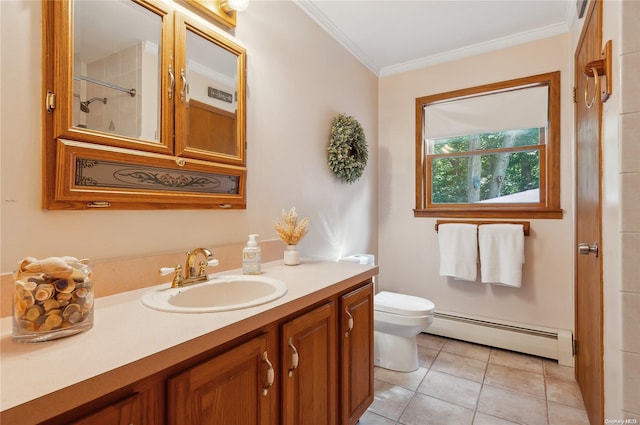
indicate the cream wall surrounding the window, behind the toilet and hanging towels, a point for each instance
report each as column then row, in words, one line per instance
column 409, row 258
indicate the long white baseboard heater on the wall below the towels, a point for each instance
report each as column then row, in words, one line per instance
column 540, row 341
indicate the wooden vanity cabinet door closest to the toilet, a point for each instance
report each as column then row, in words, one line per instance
column 356, row 325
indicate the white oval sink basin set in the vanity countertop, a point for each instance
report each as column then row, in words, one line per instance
column 220, row 293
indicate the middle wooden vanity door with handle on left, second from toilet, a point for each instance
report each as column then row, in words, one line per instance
column 309, row 368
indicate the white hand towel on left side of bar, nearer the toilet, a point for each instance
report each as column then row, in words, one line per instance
column 458, row 244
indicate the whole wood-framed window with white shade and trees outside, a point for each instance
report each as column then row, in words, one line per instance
column 490, row 151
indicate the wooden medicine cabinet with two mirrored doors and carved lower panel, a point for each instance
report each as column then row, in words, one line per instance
column 144, row 108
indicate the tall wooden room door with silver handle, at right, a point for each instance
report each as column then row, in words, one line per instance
column 589, row 307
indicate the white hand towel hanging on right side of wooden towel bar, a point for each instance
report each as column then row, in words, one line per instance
column 501, row 253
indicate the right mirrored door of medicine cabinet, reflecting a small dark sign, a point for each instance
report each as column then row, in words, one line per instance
column 210, row 95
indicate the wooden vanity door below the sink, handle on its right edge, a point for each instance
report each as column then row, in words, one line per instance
column 233, row 388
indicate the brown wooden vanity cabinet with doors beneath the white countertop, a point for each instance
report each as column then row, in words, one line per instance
column 310, row 367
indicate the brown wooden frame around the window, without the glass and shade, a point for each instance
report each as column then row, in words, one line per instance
column 549, row 205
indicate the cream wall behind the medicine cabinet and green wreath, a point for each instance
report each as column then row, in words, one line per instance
column 298, row 79
